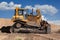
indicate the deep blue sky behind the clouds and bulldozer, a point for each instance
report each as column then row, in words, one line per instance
column 51, row 14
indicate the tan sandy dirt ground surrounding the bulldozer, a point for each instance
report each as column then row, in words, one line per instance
column 28, row 36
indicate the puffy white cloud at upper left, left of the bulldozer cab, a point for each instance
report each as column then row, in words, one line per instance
column 6, row 6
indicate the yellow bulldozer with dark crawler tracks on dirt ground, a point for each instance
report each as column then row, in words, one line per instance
column 26, row 22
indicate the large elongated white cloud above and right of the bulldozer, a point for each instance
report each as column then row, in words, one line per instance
column 44, row 8
